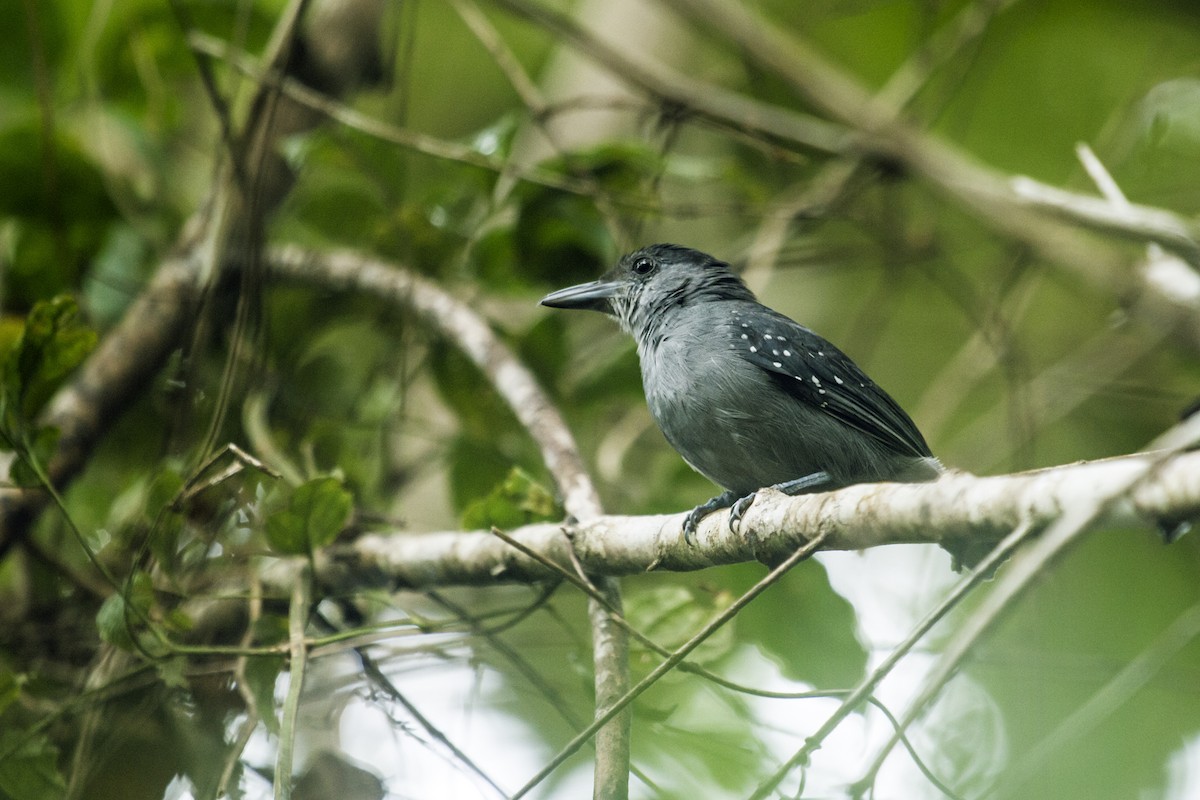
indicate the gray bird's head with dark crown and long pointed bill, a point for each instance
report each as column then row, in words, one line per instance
column 651, row 285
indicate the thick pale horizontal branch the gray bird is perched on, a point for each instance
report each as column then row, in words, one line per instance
column 957, row 508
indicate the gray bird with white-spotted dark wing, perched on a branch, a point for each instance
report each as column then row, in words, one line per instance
column 749, row 398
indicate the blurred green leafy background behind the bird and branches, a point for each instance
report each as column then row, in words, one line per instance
column 109, row 145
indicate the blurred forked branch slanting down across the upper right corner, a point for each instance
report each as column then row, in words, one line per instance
column 1049, row 220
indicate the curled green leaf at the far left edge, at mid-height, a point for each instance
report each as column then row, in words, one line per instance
column 53, row 344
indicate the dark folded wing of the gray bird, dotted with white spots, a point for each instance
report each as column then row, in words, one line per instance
column 818, row 374
